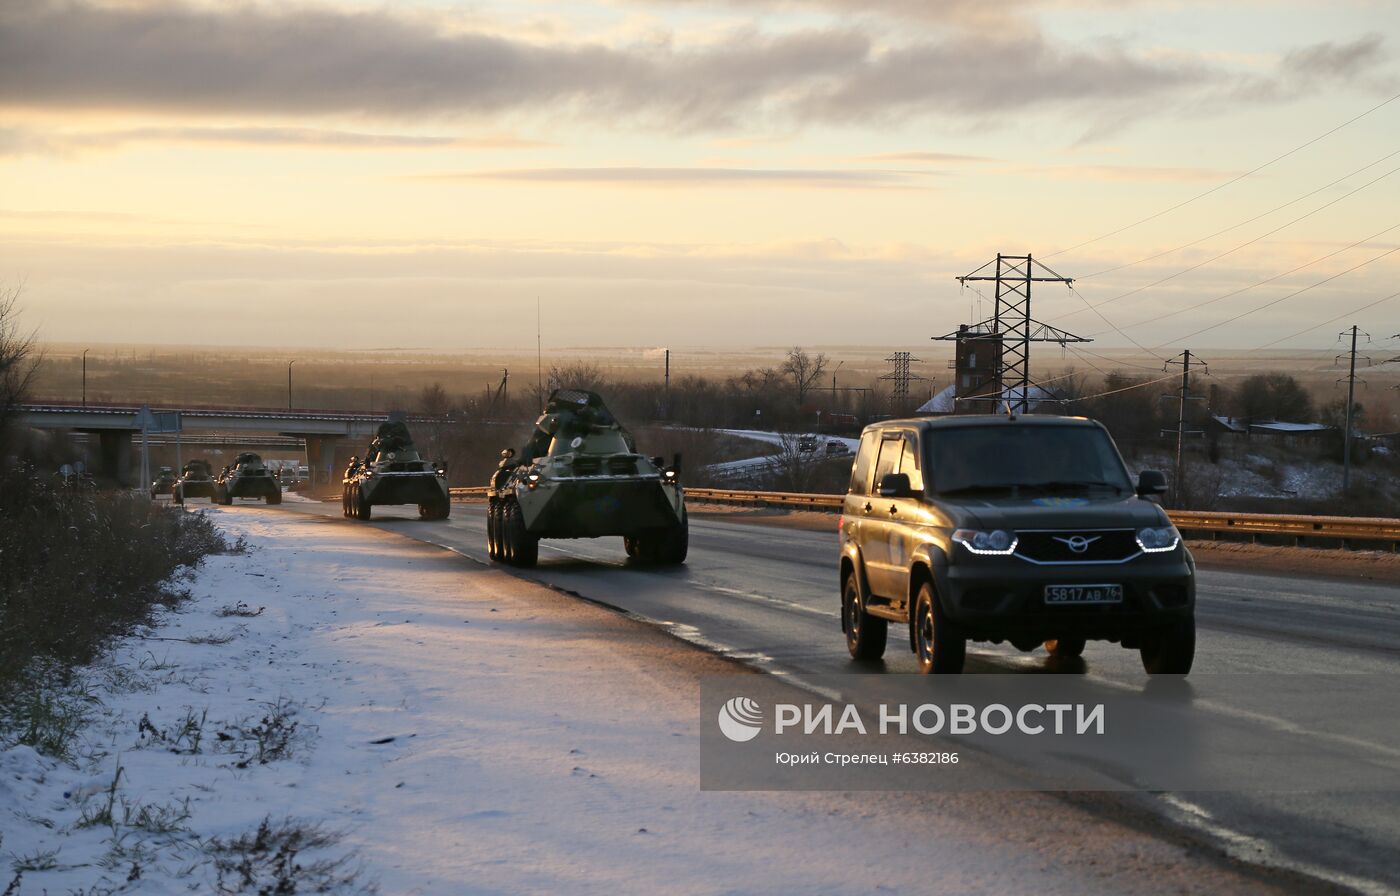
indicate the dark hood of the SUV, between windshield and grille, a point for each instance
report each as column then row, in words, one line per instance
column 1056, row 513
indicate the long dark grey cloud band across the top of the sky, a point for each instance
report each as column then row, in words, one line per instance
column 297, row 61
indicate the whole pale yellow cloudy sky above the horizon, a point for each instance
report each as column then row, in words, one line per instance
column 696, row 173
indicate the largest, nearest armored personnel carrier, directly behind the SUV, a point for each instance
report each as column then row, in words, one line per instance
column 580, row 477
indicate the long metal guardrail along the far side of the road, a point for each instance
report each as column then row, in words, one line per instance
column 1298, row 528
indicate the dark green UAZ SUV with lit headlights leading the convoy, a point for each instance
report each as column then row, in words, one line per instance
column 1024, row 530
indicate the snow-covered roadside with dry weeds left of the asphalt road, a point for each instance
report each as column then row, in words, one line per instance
column 470, row 733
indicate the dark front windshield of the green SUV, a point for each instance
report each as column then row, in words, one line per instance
column 1023, row 458
